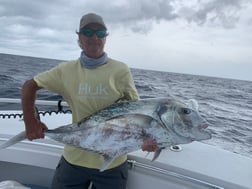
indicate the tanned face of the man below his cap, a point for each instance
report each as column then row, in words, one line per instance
column 93, row 46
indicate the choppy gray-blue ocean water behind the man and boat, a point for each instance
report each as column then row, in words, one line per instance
column 225, row 103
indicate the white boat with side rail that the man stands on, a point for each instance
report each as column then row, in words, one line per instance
column 191, row 166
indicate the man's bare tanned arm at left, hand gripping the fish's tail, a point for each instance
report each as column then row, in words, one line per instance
column 34, row 127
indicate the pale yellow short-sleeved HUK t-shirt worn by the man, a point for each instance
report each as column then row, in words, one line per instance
column 87, row 91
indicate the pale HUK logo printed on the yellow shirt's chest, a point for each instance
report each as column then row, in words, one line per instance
column 92, row 91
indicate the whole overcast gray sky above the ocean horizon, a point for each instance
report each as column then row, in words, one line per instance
column 202, row 37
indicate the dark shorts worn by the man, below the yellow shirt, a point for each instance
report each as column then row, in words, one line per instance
column 76, row 177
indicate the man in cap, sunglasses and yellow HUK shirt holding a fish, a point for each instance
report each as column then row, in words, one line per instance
column 88, row 84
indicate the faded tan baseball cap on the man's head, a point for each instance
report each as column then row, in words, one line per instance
column 91, row 18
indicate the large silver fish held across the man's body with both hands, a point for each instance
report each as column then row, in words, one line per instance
column 122, row 127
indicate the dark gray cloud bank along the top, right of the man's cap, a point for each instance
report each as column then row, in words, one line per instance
column 140, row 15
